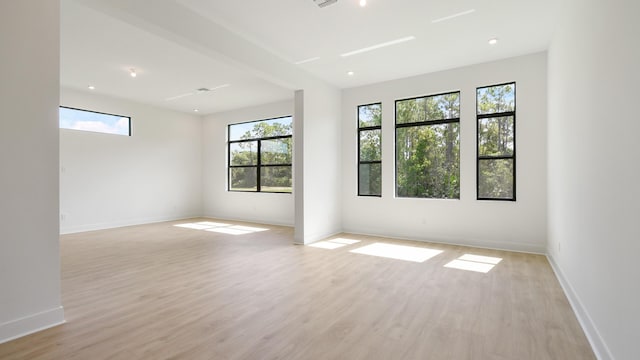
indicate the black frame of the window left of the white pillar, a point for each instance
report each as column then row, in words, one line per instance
column 258, row 165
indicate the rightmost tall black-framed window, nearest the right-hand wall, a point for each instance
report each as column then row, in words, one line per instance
column 496, row 151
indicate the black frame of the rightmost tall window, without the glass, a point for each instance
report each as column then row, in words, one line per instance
column 512, row 157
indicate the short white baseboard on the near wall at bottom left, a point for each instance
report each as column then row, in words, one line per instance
column 30, row 324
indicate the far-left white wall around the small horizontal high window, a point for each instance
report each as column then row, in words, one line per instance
column 111, row 180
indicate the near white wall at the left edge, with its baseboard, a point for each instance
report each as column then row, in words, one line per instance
column 29, row 249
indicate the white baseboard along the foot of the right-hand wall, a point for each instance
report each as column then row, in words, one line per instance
column 593, row 335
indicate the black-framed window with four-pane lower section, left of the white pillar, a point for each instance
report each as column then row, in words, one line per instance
column 259, row 156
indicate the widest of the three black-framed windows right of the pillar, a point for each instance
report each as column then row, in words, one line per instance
column 428, row 146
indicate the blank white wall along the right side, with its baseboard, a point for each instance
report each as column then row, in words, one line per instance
column 594, row 166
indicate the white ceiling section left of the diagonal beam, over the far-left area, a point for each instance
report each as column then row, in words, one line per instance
column 99, row 50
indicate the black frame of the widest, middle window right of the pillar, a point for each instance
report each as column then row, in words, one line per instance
column 425, row 123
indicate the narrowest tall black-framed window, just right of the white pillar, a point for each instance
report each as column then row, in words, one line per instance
column 369, row 150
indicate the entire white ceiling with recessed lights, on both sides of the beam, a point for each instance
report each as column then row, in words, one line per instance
column 177, row 46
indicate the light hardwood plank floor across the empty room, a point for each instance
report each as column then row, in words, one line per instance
column 165, row 292
